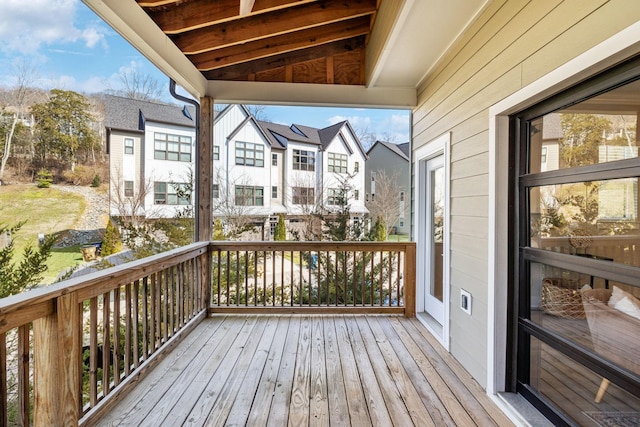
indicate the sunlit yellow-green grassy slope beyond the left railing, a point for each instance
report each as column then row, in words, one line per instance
column 44, row 210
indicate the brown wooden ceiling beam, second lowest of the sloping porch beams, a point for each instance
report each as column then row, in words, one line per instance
column 281, row 44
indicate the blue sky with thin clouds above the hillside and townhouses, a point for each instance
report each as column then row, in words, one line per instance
column 70, row 48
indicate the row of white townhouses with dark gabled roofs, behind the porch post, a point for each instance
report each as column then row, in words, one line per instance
column 261, row 169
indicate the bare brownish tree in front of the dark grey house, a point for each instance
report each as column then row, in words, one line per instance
column 385, row 202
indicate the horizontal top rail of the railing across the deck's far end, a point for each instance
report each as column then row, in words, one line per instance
column 310, row 246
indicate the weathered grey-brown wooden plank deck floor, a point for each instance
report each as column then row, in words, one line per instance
column 307, row 370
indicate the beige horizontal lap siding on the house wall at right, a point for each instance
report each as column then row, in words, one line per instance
column 508, row 46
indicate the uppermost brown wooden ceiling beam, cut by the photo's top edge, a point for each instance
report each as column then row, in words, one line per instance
column 178, row 17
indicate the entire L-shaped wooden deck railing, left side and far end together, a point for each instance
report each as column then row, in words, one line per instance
column 69, row 351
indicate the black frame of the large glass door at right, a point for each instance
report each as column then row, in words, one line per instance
column 521, row 255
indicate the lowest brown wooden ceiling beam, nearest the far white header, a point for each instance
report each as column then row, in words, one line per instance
column 242, row 71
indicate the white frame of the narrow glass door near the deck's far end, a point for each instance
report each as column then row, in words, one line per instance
column 437, row 147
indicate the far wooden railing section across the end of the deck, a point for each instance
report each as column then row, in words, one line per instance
column 324, row 277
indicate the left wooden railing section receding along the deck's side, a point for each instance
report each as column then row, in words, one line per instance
column 66, row 349
